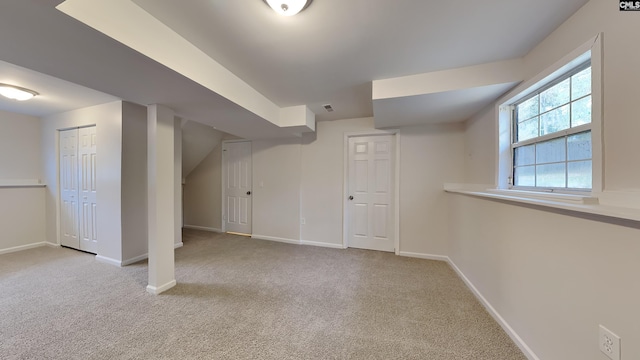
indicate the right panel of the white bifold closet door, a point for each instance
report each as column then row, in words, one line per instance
column 87, row 189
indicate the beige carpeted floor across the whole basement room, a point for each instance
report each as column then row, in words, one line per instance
column 239, row 298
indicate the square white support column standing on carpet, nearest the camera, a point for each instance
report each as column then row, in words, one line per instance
column 162, row 206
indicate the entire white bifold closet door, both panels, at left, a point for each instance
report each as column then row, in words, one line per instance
column 78, row 189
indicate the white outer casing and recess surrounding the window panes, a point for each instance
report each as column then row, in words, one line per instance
column 592, row 49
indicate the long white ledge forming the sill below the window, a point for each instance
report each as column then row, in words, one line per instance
column 577, row 203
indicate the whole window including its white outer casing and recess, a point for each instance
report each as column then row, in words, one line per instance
column 550, row 127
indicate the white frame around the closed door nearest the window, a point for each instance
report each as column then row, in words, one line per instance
column 396, row 190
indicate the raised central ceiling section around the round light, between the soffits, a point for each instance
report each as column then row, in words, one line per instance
column 332, row 51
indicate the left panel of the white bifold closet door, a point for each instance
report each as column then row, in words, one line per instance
column 68, row 184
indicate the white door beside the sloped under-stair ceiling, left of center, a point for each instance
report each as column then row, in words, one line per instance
column 237, row 197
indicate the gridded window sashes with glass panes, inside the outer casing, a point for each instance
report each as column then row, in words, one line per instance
column 551, row 137
